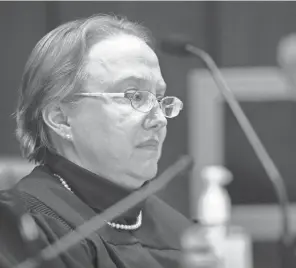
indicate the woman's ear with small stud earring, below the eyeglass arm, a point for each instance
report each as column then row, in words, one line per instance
column 57, row 120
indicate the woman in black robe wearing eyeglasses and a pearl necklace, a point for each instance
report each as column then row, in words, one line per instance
column 92, row 113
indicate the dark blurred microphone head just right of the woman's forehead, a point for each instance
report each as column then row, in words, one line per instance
column 175, row 45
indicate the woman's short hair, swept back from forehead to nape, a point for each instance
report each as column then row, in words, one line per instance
column 55, row 70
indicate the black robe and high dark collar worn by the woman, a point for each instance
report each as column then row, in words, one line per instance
column 57, row 211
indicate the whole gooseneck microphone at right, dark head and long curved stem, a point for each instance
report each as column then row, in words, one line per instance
column 181, row 47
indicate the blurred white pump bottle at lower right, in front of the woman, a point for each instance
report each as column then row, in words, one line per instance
column 231, row 244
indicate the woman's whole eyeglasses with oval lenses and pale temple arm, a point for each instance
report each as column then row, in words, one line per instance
column 144, row 101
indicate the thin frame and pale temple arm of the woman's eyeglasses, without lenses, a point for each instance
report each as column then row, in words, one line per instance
column 129, row 97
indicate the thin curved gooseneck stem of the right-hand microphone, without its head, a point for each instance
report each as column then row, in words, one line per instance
column 268, row 164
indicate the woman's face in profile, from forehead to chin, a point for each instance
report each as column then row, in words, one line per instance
column 108, row 134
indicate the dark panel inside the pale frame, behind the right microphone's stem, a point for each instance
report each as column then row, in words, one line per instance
column 274, row 122
